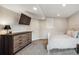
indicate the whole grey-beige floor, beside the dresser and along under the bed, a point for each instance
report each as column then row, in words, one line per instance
column 38, row 47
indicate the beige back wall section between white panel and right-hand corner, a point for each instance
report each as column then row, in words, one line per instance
column 61, row 24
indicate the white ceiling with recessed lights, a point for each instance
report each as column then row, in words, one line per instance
column 44, row 10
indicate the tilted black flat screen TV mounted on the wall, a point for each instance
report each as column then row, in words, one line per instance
column 24, row 19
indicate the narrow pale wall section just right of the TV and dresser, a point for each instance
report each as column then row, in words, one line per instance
column 35, row 29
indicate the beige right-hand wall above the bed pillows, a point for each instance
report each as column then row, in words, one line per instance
column 74, row 21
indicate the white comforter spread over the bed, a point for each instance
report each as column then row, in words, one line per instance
column 61, row 42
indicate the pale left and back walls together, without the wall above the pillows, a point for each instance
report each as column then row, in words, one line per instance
column 39, row 28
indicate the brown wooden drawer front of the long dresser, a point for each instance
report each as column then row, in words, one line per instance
column 21, row 40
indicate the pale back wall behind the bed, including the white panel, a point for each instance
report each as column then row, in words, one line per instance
column 51, row 24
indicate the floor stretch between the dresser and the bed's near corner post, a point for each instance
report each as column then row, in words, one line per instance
column 37, row 47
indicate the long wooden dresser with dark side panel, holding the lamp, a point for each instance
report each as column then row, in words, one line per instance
column 12, row 43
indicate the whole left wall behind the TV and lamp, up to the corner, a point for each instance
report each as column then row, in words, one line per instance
column 9, row 17
